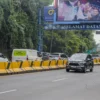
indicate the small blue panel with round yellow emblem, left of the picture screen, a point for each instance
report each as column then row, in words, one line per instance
column 49, row 13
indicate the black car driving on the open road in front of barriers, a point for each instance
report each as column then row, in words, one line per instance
column 80, row 61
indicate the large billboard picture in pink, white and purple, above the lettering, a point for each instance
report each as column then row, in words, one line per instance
column 82, row 11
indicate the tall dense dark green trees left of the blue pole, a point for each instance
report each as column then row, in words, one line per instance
column 18, row 24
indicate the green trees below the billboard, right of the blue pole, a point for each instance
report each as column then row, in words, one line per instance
column 68, row 41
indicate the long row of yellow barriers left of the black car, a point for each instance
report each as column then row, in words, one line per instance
column 29, row 66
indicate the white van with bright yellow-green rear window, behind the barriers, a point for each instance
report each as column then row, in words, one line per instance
column 25, row 54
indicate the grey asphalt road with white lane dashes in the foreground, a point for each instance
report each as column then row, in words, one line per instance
column 51, row 85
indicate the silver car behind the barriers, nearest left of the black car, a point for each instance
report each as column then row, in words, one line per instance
column 58, row 56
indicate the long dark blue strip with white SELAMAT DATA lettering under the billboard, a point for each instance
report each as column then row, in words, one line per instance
column 71, row 27
